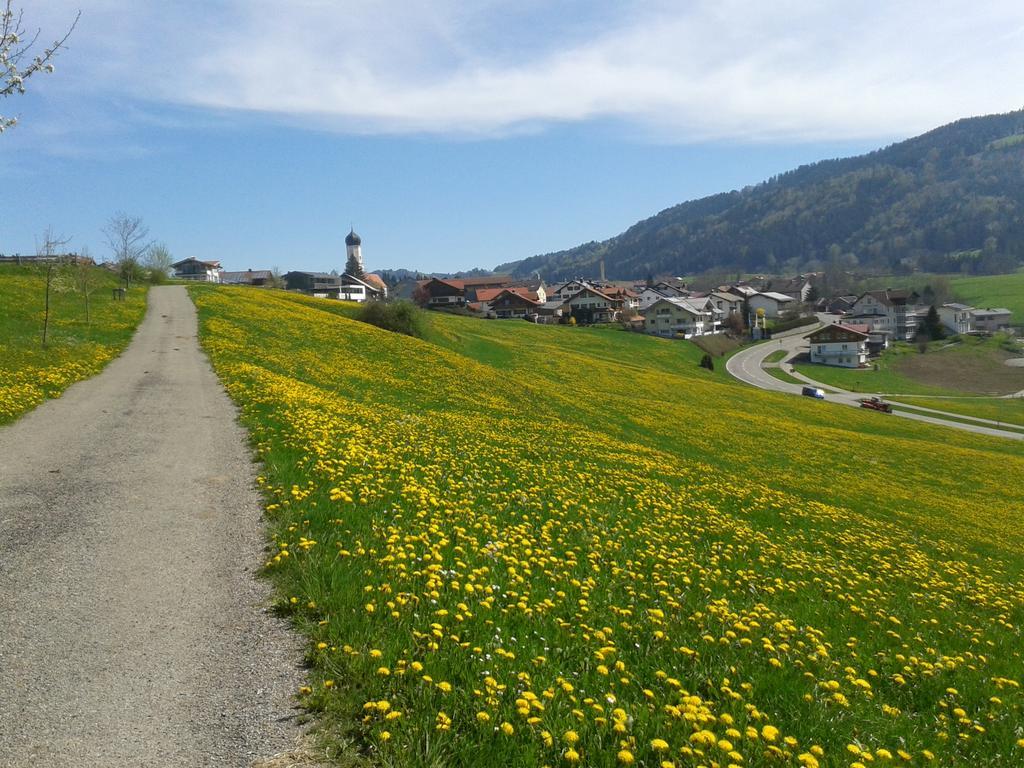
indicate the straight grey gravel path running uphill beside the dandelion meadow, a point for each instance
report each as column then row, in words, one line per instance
column 133, row 631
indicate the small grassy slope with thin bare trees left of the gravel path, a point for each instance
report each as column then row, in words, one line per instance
column 76, row 351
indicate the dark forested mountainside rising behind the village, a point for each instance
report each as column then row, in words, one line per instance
column 950, row 201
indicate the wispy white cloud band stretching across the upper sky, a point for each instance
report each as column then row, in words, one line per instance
column 796, row 70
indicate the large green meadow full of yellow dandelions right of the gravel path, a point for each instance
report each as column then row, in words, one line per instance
column 520, row 545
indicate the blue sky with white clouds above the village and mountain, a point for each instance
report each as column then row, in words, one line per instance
column 460, row 135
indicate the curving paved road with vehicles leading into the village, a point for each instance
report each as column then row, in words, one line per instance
column 748, row 367
